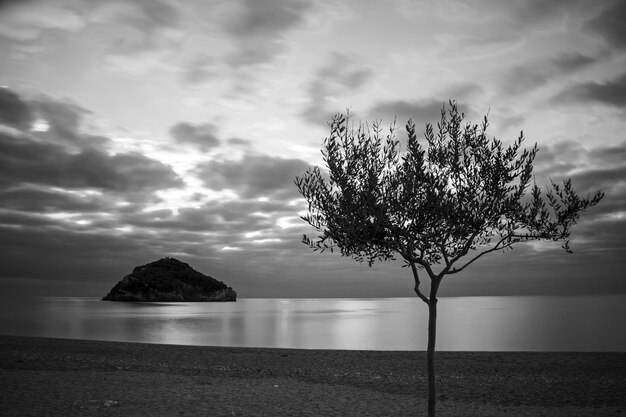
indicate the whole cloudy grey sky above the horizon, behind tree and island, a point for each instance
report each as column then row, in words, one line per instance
column 134, row 130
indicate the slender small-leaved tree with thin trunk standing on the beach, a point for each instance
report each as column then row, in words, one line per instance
column 439, row 208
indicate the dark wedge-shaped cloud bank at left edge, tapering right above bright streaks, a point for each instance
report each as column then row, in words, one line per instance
column 42, row 158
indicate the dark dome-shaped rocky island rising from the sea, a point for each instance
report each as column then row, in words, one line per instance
column 169, row 279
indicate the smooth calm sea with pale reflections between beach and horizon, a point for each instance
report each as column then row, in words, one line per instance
column 581, row 323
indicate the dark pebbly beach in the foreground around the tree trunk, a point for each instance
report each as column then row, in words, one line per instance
column 57, row 377
